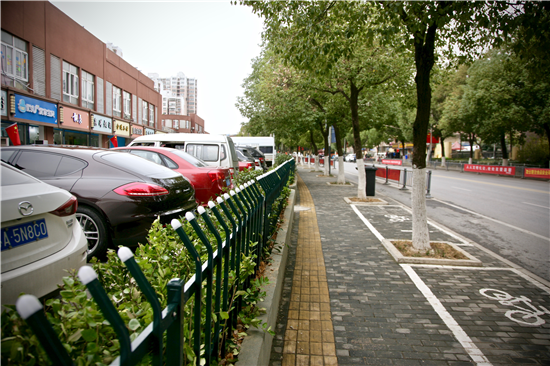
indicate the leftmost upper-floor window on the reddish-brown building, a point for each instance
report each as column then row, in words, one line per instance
column 14, row 61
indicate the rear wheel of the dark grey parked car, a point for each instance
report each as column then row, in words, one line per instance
column 95, row 230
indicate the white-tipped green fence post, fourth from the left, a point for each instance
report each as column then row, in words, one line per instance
column 198, row 283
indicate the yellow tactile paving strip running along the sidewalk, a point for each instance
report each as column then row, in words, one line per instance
column 309, row 336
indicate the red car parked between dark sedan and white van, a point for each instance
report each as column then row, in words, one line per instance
column 207, row 180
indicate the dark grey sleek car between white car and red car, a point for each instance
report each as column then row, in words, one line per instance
column 119, row 194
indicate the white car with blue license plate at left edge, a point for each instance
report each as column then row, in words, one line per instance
column 41, row 238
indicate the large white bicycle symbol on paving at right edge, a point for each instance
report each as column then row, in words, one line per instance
column 526, row 316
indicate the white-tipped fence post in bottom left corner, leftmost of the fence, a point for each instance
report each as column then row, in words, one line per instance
column 31, row 310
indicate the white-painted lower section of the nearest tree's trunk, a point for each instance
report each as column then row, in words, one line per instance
column 421, row 235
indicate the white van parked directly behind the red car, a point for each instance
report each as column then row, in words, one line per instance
column 215, row 150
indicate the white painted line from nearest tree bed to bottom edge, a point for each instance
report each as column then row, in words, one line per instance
column 475, row 353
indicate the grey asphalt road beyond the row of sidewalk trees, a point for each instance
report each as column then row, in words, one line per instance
column 508, row 216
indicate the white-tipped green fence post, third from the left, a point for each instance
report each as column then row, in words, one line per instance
column 127, row 257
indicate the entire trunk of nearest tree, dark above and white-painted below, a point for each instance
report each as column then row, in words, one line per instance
column 424, row 60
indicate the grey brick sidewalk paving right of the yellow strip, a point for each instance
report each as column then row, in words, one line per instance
column 380, row 316
